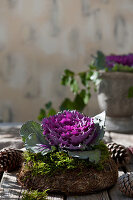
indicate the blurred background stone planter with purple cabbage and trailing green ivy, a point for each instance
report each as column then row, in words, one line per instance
column 112, row 78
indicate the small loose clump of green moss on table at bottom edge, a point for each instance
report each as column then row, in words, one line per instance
column 34, row 195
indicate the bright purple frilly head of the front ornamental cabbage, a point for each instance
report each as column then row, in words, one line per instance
column 70, row 130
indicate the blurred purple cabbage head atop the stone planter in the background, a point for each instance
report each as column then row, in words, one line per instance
column 111, row 60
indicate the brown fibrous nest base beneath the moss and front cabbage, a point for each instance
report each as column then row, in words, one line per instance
column 72, row 182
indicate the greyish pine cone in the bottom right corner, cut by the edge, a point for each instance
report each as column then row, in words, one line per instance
column 125, row 183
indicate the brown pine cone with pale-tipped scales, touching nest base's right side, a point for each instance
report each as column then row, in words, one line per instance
column 120, row 154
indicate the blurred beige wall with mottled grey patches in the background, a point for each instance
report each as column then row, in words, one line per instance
column 40, row 38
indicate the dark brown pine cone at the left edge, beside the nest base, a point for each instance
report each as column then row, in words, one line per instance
column 10, row 159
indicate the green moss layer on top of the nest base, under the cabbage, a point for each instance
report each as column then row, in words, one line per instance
column 59, row 161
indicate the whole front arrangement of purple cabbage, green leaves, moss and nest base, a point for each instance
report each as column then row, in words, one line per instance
column 65, row 154
